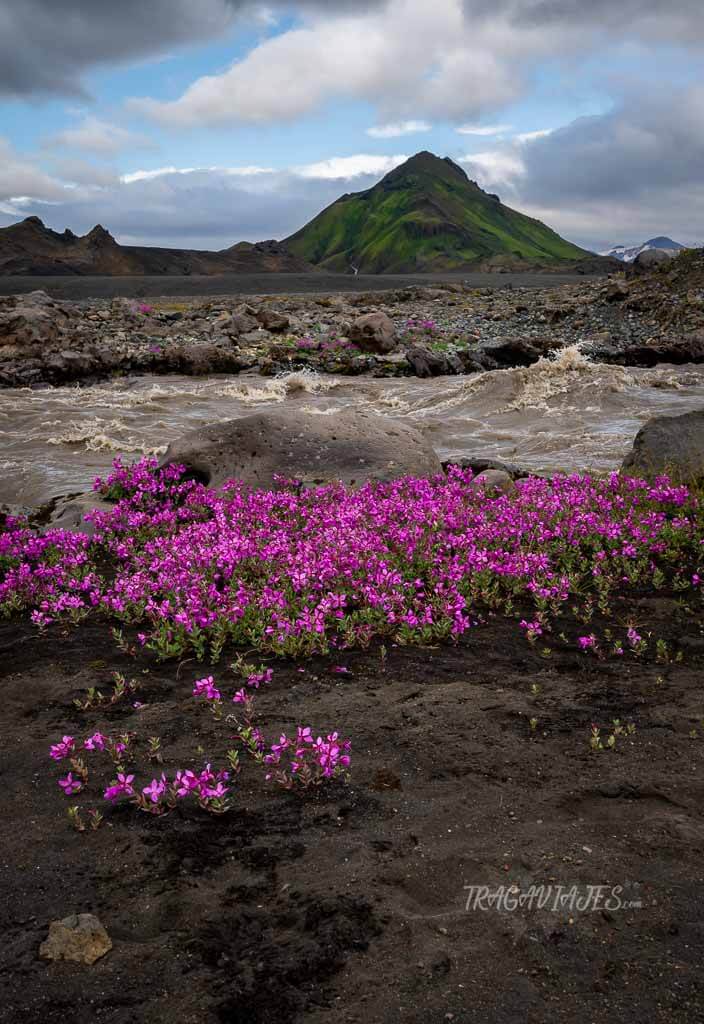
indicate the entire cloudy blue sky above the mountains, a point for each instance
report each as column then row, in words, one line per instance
column 202, row 124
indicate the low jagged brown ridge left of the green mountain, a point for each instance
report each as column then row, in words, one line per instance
column 32, row 248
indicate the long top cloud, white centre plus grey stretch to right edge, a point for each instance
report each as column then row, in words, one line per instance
column 455, row 60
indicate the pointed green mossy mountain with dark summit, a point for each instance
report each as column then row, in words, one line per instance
column 426, row 216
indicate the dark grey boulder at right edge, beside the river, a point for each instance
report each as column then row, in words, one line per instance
column 673, row 445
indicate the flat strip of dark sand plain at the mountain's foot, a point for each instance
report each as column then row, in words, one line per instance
column 79, row 288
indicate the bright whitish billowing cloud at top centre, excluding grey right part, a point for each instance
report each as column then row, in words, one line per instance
column 408, row 57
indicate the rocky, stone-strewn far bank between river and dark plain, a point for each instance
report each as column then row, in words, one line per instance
column 417, row 331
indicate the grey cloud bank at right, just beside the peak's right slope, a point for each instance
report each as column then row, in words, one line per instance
column 623, row 177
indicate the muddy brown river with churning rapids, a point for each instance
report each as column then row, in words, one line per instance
column 560, row 415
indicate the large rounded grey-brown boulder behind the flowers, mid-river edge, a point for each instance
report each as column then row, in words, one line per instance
column 351, row 447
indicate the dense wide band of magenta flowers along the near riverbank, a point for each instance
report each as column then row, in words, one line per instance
column 298, row 573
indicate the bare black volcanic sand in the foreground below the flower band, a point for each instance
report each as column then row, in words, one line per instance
column 350, row 908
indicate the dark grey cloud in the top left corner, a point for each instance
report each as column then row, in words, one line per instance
column 48, row 46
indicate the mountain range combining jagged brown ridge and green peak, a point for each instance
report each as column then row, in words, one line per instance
column 424, row 217
